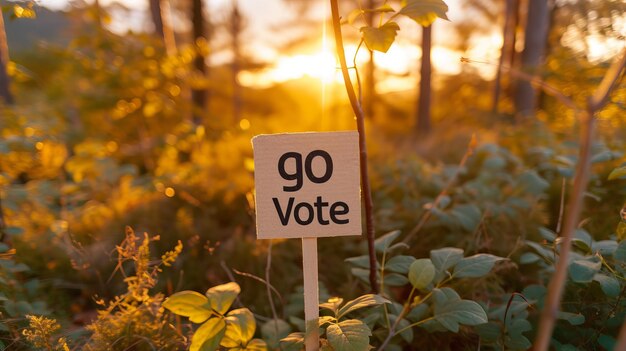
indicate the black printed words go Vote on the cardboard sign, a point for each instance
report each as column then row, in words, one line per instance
column 303, row 212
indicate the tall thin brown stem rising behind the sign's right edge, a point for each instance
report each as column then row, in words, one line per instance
column 360, row 121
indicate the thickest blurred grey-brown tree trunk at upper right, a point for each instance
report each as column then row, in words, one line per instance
column 535, row 37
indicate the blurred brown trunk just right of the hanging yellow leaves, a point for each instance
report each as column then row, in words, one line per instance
column 423, row 104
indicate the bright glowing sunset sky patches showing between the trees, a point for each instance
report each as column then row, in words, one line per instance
column 266, row 27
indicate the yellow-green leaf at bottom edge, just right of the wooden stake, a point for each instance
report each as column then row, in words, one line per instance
column 349, row 335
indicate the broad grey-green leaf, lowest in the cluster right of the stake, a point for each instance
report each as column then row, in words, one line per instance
column 458, row 312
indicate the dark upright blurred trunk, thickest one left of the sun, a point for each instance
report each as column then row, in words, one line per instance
column 198, row 96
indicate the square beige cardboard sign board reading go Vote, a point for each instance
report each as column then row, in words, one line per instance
column 307, row 185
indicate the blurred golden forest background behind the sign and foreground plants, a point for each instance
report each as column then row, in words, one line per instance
column 116, row 114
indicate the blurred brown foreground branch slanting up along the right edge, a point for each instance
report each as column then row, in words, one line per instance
column 557, row 283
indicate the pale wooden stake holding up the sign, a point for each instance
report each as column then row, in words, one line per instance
column 311, row 294
